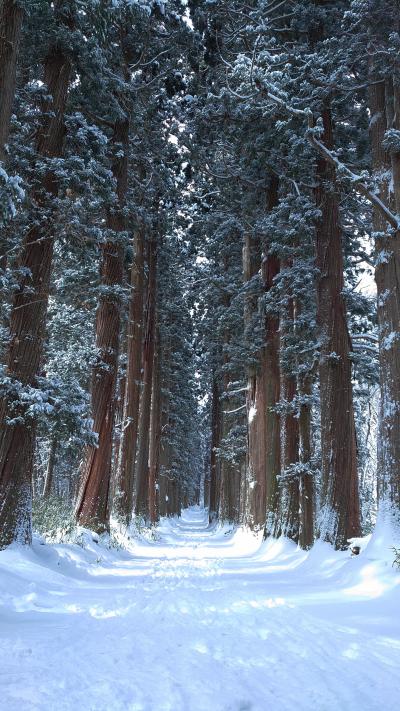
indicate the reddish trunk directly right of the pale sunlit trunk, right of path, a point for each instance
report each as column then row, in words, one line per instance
column 271, row 378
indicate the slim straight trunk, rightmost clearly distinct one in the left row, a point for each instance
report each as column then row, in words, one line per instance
column 155, row 434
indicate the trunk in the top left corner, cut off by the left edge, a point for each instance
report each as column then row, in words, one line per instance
column 11, row 16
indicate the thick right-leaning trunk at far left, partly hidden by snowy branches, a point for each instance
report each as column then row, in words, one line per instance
column 28, row 318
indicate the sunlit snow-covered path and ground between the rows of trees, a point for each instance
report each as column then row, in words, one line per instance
column 203, row 619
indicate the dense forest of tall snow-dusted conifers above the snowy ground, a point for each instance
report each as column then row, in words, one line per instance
column 200, row 263
